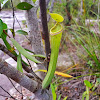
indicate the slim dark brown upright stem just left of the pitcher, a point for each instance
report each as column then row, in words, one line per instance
column 45, row 27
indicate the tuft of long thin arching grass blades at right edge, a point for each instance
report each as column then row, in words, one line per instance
column 89, row 41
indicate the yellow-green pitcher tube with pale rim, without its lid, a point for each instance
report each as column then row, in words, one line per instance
column 55, row 37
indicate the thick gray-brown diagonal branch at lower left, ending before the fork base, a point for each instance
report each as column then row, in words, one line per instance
column 17, row 76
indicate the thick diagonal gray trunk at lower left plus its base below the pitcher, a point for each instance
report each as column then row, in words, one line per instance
column 24, row 81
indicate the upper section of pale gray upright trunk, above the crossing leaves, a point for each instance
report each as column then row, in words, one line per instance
column 32, row 23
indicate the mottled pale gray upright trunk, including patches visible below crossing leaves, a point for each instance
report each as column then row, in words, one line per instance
column 35, row 35
